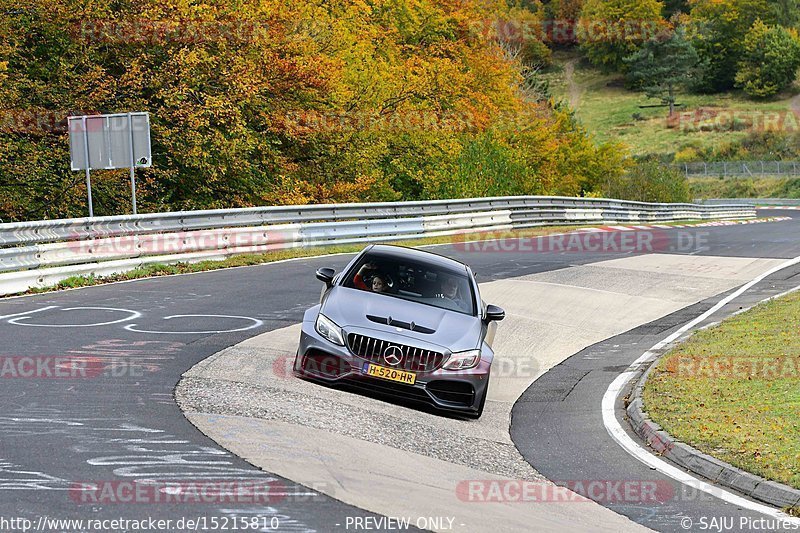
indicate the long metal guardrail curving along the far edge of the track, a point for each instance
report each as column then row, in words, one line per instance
column 45, row 252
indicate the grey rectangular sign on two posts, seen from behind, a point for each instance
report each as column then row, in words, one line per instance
column 115, row 141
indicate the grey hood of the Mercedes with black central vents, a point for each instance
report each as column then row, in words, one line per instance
column 350, row 308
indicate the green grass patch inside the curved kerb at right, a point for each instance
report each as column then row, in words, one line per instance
column 733, row 391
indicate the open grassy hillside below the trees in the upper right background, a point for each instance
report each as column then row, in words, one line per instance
column 704, row 122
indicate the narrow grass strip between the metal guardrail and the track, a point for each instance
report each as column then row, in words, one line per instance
column 155, row 270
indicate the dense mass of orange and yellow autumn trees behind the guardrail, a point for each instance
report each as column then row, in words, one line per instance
column 264, row 102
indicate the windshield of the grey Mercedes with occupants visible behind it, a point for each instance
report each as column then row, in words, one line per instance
column 414, row 281
